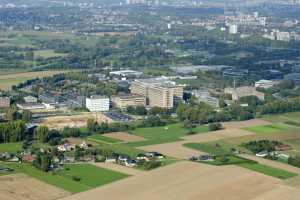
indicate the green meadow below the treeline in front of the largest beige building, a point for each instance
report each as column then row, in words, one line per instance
column 165, row 134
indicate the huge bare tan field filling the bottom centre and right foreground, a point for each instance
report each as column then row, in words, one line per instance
column 193, row 181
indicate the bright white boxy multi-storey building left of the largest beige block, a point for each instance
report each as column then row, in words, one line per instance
column 97, row 104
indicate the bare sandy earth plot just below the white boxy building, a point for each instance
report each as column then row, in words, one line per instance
column 59, row 122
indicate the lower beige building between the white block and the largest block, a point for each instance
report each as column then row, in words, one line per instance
column 125, row 100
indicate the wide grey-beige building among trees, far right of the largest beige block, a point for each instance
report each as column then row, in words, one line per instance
column 244, row 91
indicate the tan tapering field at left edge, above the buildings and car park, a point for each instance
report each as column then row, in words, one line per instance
column 9, row 80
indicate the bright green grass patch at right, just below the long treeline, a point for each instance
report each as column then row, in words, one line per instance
column 273, row 128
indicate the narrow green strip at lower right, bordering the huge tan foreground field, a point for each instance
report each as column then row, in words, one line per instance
column 267, row 170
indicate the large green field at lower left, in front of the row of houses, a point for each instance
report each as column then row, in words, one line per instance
column 91, row 176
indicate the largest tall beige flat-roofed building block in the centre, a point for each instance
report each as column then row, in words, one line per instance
column 159, row 92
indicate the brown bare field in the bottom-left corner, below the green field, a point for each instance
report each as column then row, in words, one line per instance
column 22, row 187
